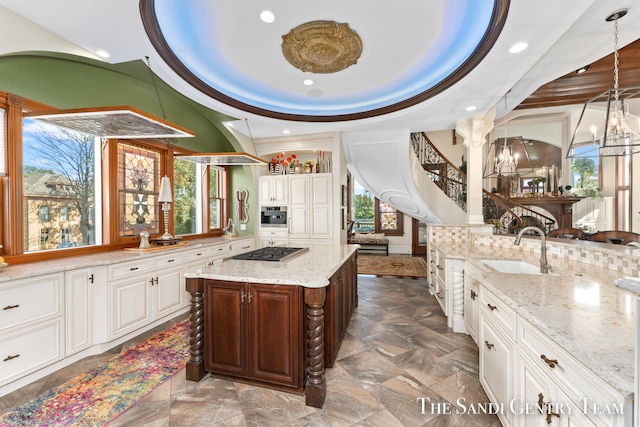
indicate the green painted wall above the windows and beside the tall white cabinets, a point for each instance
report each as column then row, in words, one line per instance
column 67, row 81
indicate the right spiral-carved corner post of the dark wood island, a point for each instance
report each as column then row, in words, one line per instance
column 316, row 387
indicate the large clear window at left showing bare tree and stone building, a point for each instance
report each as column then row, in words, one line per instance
column 58, row 176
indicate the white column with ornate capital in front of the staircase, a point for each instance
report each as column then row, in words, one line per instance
column 473, row 131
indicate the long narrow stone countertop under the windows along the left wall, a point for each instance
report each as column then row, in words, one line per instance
column 31, row 269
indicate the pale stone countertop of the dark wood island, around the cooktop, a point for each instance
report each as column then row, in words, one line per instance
column 311, row 269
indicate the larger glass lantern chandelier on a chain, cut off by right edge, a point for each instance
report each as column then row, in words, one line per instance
column 614, row 137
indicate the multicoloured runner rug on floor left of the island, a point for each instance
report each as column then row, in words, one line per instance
column 101, row 394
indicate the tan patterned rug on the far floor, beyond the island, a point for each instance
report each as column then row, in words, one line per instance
column 400, row 266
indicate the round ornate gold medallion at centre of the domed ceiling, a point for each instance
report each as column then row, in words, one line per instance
column 322, row 47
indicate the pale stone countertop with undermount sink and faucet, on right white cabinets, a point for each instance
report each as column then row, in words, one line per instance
column 577, row 306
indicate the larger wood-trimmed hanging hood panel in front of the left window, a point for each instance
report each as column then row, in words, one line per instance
column 112, row 122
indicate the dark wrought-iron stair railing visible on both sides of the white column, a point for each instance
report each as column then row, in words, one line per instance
column 506, row 215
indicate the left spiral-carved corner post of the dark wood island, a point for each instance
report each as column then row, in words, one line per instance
column 195, row 365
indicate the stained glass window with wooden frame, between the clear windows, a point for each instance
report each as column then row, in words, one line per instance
column 138, row 187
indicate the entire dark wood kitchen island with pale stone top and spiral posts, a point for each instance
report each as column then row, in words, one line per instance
column 270, row 323
